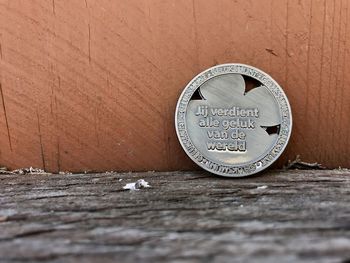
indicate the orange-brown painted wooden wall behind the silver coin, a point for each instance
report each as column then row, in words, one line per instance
column 93, row 84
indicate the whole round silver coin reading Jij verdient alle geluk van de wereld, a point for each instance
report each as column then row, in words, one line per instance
column 233, row 120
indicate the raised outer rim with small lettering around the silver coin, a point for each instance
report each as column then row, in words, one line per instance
column 235, row 170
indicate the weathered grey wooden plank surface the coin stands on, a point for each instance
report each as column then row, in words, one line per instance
column 294, row 216
